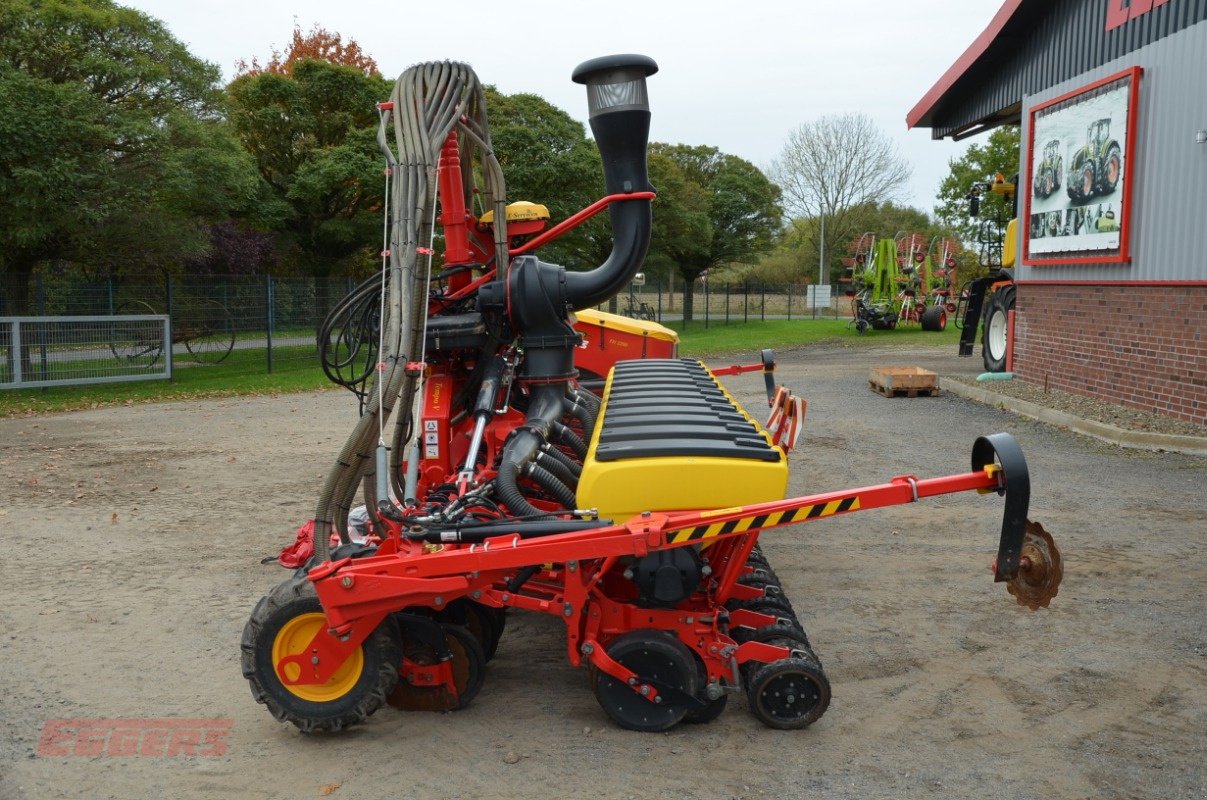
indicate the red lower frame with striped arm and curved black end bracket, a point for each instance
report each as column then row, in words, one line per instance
column 358, row 594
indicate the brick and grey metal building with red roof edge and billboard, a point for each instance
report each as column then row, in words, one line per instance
column 1111, row 97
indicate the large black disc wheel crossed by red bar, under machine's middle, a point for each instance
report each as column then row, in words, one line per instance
column 654, row 656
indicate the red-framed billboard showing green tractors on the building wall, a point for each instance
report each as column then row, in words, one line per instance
column 1078, row 174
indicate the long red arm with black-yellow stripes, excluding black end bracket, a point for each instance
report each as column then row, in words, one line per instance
column 357, row 594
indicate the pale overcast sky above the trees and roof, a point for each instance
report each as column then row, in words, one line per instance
column 734, row 75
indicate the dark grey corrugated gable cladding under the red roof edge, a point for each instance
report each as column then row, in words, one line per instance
column 1053, row 43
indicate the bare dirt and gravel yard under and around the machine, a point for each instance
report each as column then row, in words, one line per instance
column 133, row 544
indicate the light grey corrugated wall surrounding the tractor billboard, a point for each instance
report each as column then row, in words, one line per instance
column 1169, row 211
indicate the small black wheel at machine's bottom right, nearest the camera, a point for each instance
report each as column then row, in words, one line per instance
column 789, row 694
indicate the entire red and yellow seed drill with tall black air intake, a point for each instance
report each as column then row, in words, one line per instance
column 550, row 459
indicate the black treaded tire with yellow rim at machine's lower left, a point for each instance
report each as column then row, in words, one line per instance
column 290, row 608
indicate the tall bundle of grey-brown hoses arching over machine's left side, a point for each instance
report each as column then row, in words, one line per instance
column 429, row 102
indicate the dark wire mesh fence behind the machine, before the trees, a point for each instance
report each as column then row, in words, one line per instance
column 263, row 324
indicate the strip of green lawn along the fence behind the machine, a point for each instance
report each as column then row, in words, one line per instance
column 296, row 370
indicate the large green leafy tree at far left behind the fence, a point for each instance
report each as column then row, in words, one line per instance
column 113, row 151
